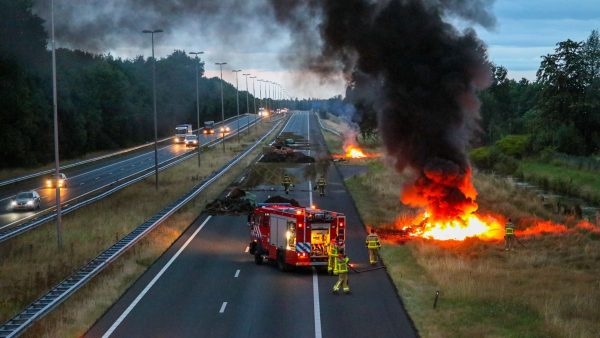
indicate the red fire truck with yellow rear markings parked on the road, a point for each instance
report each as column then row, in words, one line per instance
column 293, row 236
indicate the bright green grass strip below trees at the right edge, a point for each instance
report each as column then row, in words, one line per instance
column 562, row 179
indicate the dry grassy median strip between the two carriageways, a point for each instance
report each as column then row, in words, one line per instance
column 32, row 263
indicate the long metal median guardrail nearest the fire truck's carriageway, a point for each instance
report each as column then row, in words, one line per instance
column 67, row 287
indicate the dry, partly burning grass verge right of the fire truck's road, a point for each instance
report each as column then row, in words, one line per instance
column 548, row 288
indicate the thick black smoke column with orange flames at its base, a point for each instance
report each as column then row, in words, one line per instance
column 422, row 76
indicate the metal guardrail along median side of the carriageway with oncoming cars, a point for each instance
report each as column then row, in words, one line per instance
column 128, row 180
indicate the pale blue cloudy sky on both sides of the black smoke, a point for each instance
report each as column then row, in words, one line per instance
column 525, row 30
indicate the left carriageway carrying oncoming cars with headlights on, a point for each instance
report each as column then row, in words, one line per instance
column 84, row 180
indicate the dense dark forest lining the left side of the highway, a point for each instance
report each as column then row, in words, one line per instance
column 103, row 102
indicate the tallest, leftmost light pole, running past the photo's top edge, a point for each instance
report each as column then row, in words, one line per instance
column 56, row 154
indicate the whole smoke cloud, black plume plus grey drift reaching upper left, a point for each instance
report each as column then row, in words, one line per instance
column 420, row 73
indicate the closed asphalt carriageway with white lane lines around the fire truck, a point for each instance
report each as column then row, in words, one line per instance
column 206, row 285
